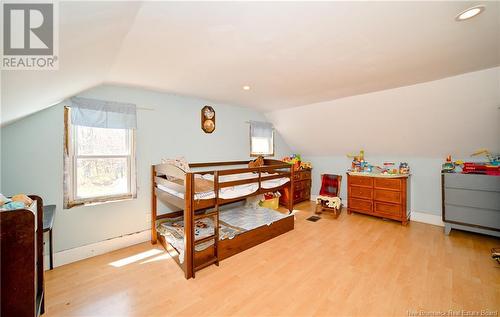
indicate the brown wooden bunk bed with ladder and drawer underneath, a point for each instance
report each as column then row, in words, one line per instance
column 208, row 228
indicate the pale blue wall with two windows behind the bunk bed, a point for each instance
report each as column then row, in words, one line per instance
column 32, row 157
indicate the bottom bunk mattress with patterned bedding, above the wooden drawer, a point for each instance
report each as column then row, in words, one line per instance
column 232, row 222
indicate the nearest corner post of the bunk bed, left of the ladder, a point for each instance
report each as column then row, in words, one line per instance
column 188, row 227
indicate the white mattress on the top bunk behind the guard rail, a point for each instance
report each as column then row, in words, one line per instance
column 233, row 191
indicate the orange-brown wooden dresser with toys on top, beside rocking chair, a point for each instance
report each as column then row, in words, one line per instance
column 381, row 196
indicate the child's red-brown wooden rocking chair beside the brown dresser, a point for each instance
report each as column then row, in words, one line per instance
column 328, row 199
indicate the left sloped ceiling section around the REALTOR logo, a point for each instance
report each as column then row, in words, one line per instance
column 90, row 35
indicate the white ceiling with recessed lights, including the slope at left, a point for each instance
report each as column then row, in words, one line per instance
column 290, row 53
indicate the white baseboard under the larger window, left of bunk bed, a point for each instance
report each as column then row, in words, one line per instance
column 101, row 247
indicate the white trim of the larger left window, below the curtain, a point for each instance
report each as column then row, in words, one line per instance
column 73, row 200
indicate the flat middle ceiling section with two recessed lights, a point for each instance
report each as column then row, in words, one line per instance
column 297, row 53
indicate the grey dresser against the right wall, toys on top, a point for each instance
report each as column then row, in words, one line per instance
column 471, row 202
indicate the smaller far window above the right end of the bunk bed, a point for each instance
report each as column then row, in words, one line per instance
column 261, row 139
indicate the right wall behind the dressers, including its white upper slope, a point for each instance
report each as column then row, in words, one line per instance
column 418, row 124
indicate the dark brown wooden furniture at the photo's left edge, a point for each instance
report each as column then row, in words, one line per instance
column 22, row 292
